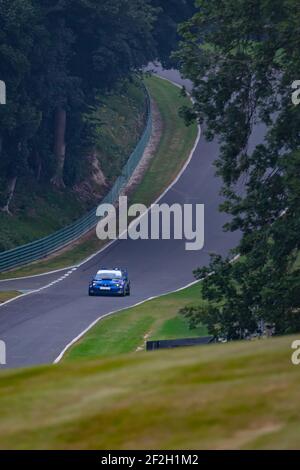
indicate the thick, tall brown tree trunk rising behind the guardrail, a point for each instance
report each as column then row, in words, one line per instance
column 59, row 146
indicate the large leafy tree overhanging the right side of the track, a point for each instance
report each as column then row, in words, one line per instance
column 243, row 57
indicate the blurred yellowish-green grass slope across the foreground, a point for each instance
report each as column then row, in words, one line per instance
column 239, row 396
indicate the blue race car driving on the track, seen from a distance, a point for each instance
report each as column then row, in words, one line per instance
column 110, row 281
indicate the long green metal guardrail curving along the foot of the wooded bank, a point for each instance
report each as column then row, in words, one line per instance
column 43, row 247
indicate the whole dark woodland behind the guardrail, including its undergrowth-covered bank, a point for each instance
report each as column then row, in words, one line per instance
column 62, row 61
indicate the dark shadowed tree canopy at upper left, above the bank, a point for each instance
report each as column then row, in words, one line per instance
column 55, row 56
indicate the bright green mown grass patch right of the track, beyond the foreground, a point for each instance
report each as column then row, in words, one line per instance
column 128, row 330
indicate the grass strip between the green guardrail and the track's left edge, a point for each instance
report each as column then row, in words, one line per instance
column 174, row 148
